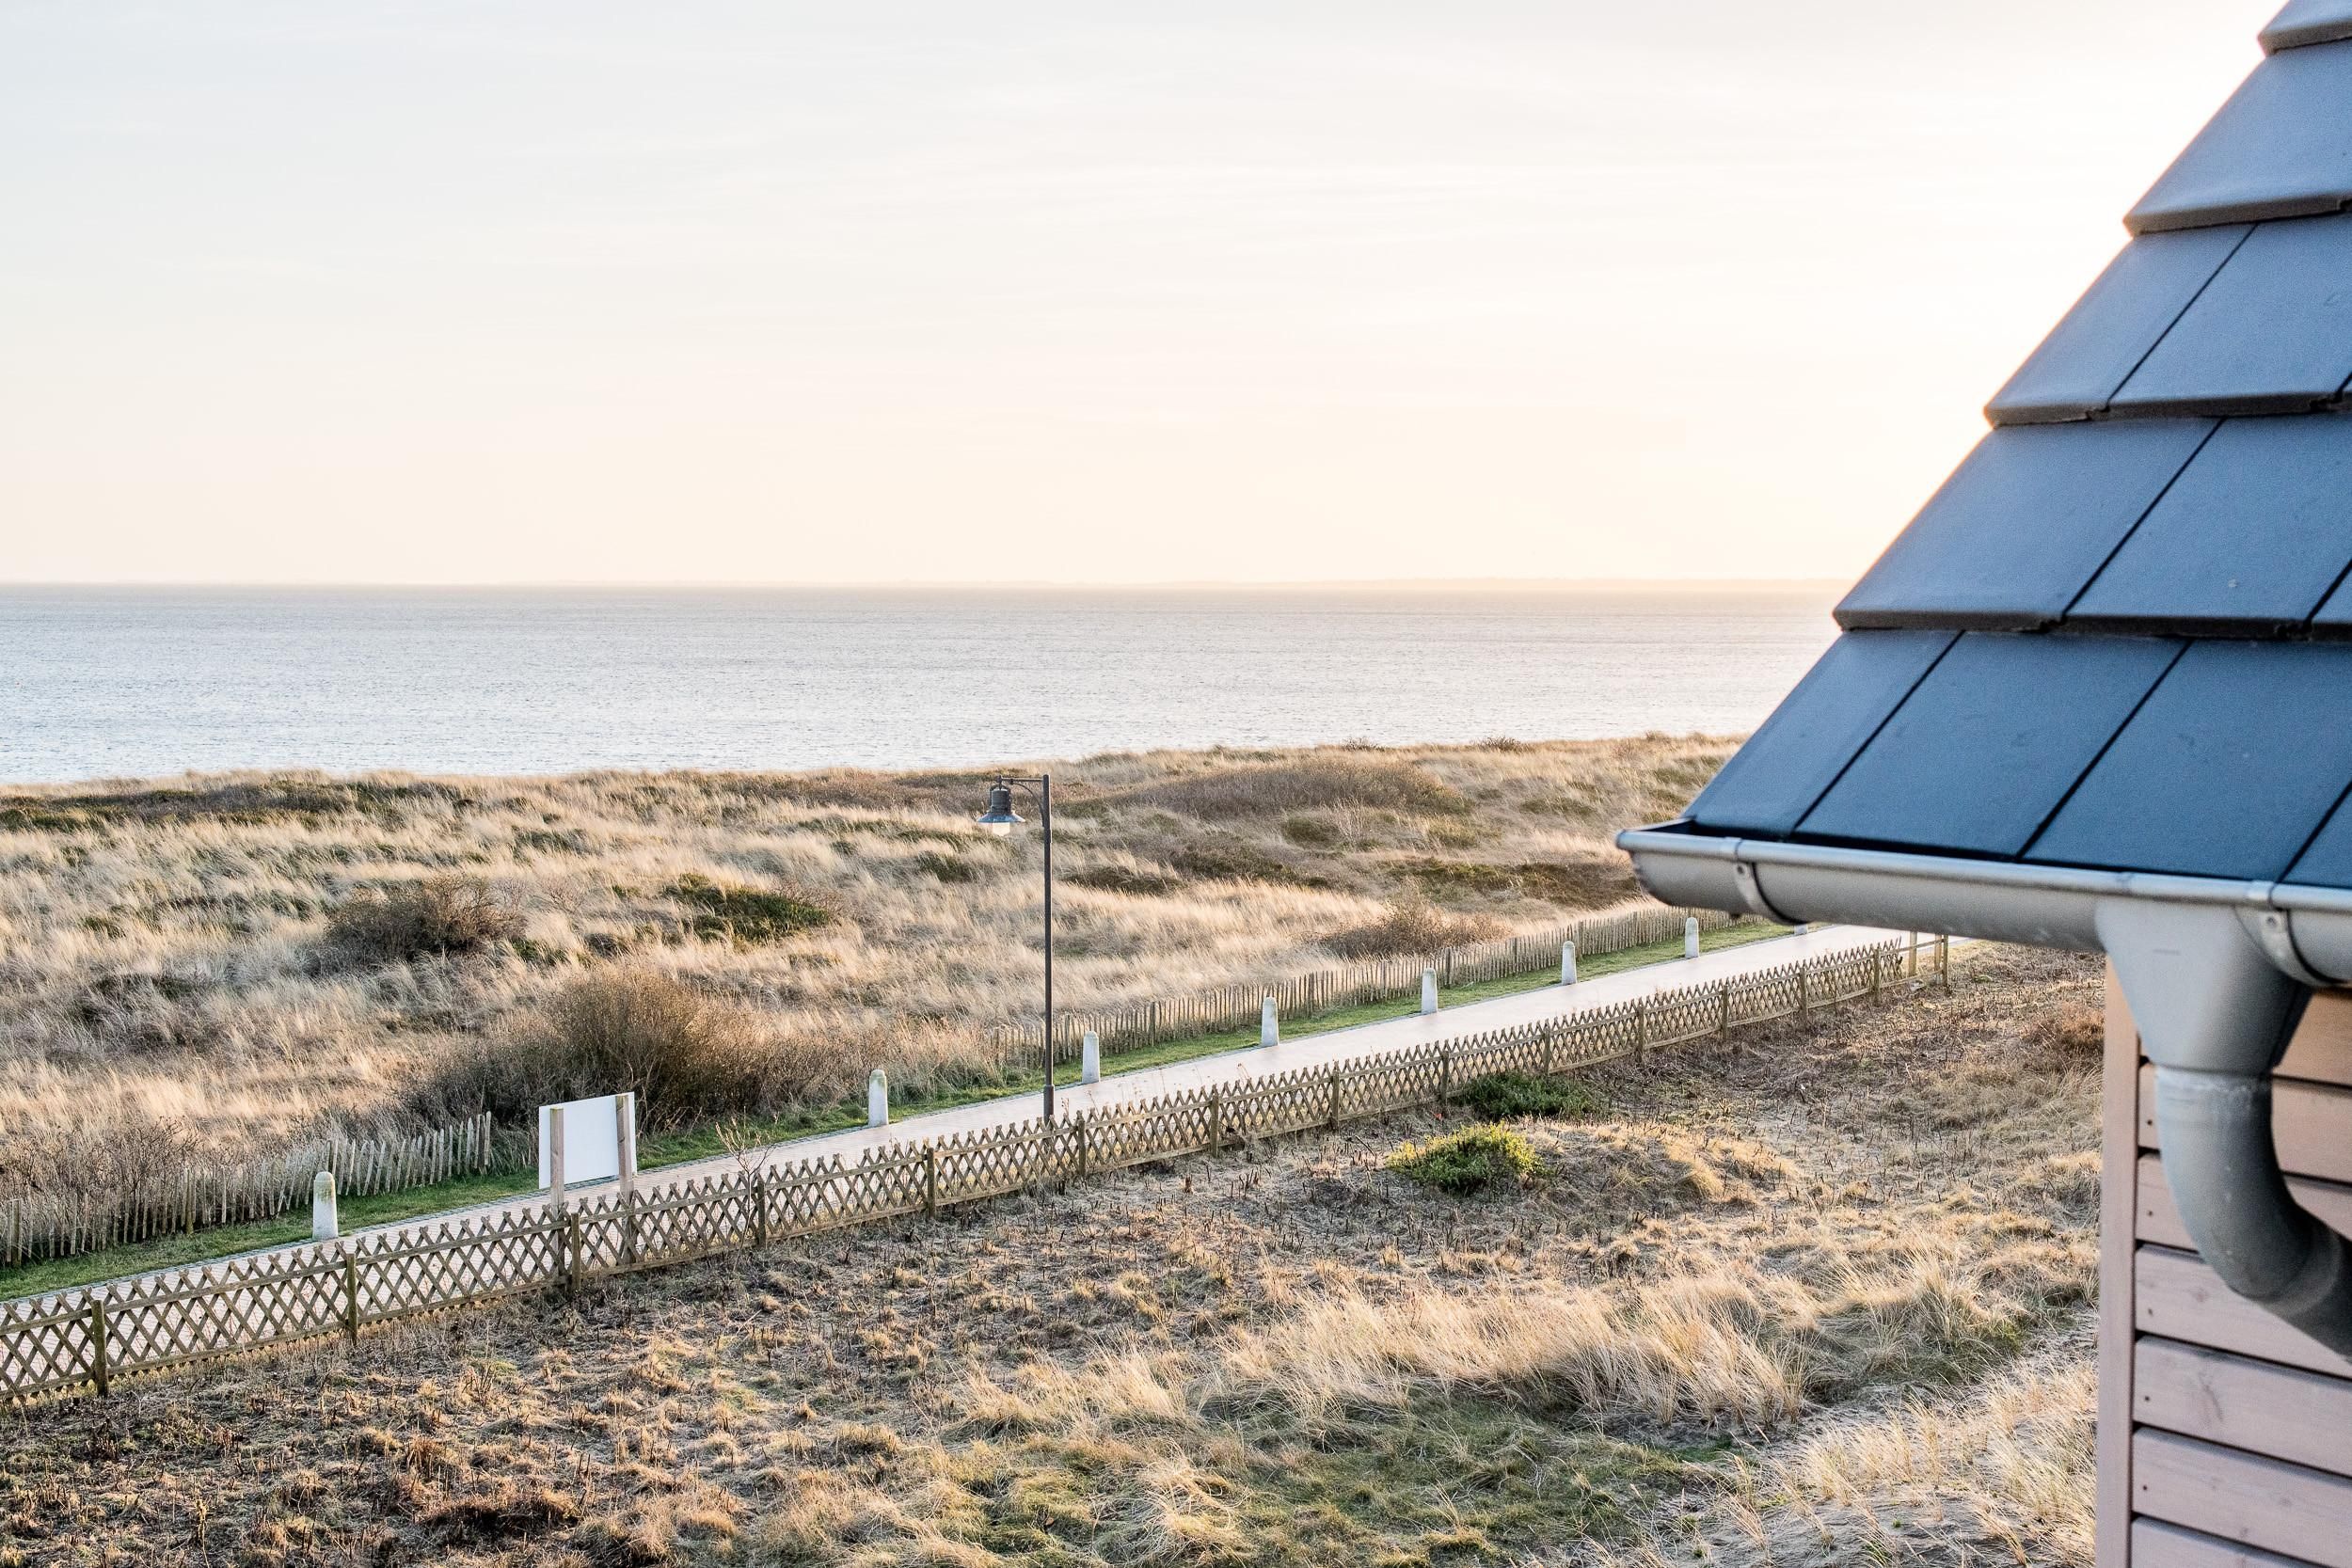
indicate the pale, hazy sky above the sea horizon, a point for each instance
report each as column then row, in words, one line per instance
column 1041, row 293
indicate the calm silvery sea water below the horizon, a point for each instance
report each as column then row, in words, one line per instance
column 114, row 683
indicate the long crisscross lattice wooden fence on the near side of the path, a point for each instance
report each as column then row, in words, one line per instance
column 88, row 1339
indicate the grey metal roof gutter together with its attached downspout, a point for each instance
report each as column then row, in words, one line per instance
column 2217, row 977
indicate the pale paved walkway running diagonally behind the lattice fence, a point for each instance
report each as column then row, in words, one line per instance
column 1229, row 1066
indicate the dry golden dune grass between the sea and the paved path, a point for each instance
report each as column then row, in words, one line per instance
column 234, row 960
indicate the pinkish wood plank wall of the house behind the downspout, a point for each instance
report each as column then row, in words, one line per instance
column 2224, row 1435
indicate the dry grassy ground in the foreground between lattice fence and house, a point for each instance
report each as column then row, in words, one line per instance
column 1817, row 1296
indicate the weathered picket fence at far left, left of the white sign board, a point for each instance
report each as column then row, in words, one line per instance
column 36, row 1226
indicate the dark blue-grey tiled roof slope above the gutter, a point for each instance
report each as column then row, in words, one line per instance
column 2120, row 636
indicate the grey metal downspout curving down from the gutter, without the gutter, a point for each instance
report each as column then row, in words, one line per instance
column 2214, row 1019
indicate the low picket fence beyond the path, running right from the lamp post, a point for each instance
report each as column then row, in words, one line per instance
column 1236, row 1007
